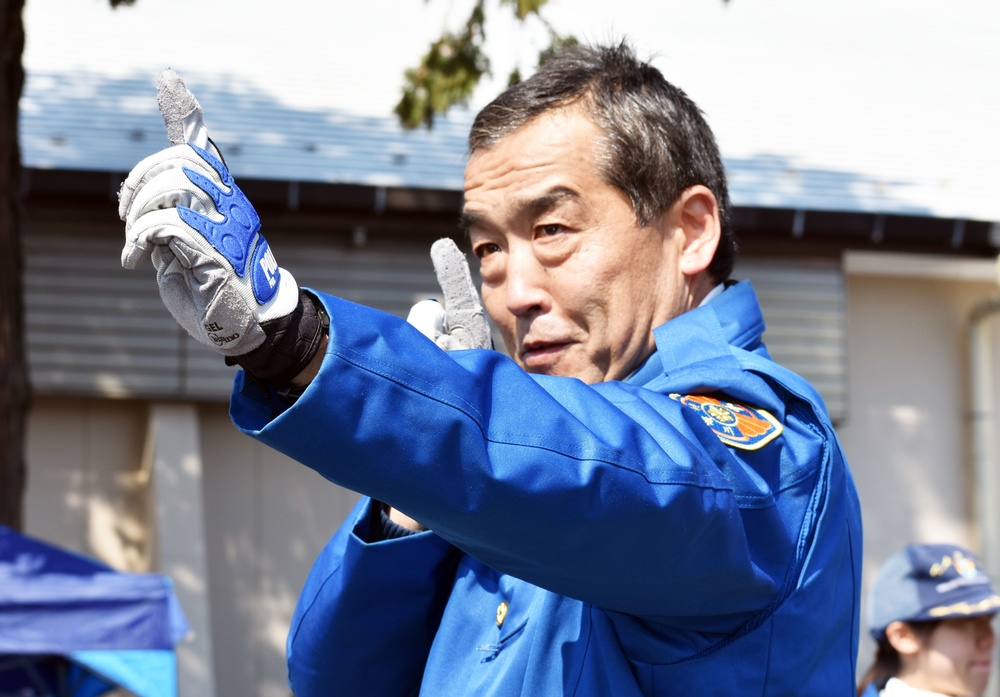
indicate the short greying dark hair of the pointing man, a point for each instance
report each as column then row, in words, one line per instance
column 657, row 142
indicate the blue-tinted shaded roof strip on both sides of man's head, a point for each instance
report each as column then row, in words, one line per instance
column 84, row 121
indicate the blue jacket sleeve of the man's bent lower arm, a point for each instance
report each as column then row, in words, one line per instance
column 368, row 612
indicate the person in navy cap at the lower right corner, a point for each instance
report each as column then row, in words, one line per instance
column 931, row 612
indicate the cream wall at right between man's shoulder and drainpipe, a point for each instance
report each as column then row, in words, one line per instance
column 907, row 436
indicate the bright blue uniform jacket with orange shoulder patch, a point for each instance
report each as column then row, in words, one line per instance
column 692, row 530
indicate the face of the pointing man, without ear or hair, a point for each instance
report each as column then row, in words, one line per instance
column 574, row 285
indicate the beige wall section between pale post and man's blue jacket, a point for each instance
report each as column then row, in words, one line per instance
column 267, row 519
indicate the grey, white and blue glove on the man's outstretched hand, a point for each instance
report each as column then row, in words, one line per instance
column 216, row 273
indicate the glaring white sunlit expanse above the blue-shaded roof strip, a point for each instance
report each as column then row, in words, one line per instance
column 888, row 87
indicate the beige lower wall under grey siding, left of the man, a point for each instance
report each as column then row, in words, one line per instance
column 265, row 520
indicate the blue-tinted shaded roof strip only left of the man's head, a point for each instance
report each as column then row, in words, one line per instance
column 85, row 121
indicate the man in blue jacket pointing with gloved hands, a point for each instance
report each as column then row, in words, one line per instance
column 637, row 501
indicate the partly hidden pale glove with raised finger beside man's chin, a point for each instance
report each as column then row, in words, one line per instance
column 461, row 323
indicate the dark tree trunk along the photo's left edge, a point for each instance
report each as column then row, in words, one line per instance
column 14, row 389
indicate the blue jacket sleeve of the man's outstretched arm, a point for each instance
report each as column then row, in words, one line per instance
column 610, row 494
